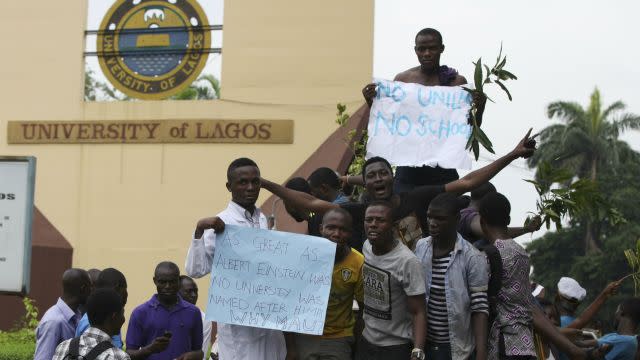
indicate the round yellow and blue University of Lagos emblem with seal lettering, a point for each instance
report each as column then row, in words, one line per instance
column 152, row 49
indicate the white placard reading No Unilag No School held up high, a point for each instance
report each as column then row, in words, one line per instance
column 416, row 125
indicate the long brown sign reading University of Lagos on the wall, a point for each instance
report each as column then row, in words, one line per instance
column 150, row 131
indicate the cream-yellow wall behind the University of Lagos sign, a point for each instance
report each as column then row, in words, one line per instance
column 131, row 206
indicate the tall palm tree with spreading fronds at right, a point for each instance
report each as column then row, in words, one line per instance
column 585, row 142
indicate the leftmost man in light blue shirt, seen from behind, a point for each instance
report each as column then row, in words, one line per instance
column 59, row 322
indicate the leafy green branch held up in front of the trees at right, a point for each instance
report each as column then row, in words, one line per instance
column 580, row 198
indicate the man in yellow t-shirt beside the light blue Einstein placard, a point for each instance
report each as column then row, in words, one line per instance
column 337, row 340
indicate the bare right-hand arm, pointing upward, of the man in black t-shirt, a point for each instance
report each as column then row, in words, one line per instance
column 525, row 148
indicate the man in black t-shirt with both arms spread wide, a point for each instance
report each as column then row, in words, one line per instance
column 410, row 207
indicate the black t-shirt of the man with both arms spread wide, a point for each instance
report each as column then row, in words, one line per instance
column 413, row 204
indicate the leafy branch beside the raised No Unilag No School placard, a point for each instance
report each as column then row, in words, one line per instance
column 484, row 75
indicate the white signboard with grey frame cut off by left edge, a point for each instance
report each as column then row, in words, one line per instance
column 17, row 179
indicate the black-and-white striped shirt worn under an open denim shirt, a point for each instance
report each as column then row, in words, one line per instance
column 437, row 313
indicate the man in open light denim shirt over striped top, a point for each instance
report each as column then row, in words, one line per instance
column 456, row 286
